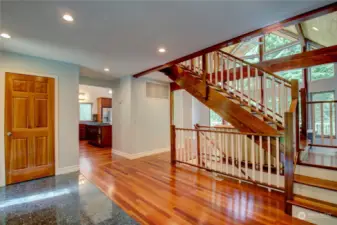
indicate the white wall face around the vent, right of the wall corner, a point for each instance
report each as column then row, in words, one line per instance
column 150, row 119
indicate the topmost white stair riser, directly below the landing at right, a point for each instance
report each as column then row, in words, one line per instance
column 316, row 172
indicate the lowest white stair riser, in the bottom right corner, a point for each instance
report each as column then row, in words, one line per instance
column 313, row 217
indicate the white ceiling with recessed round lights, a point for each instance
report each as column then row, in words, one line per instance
column 124, row 35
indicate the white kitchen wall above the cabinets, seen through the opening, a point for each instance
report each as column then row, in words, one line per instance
column 91, row 94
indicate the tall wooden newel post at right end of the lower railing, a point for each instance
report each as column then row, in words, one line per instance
column 289, row 160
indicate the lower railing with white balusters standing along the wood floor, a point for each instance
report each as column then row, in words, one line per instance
column 239, row 155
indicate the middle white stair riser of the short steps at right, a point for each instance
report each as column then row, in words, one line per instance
column 316, row 193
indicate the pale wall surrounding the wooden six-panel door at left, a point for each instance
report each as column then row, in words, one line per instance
column 66, row 115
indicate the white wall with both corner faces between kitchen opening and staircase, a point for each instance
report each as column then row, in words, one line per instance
column 140, row 124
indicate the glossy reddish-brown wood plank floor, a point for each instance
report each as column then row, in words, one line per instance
column 153, row 192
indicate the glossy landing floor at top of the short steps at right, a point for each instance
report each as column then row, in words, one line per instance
column 320, row 156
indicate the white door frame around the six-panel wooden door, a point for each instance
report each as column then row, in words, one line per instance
column 3, row 72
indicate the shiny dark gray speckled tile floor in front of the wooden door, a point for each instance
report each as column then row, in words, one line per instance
column 64, row 199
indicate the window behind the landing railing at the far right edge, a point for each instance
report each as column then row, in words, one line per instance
column 325, row 108
